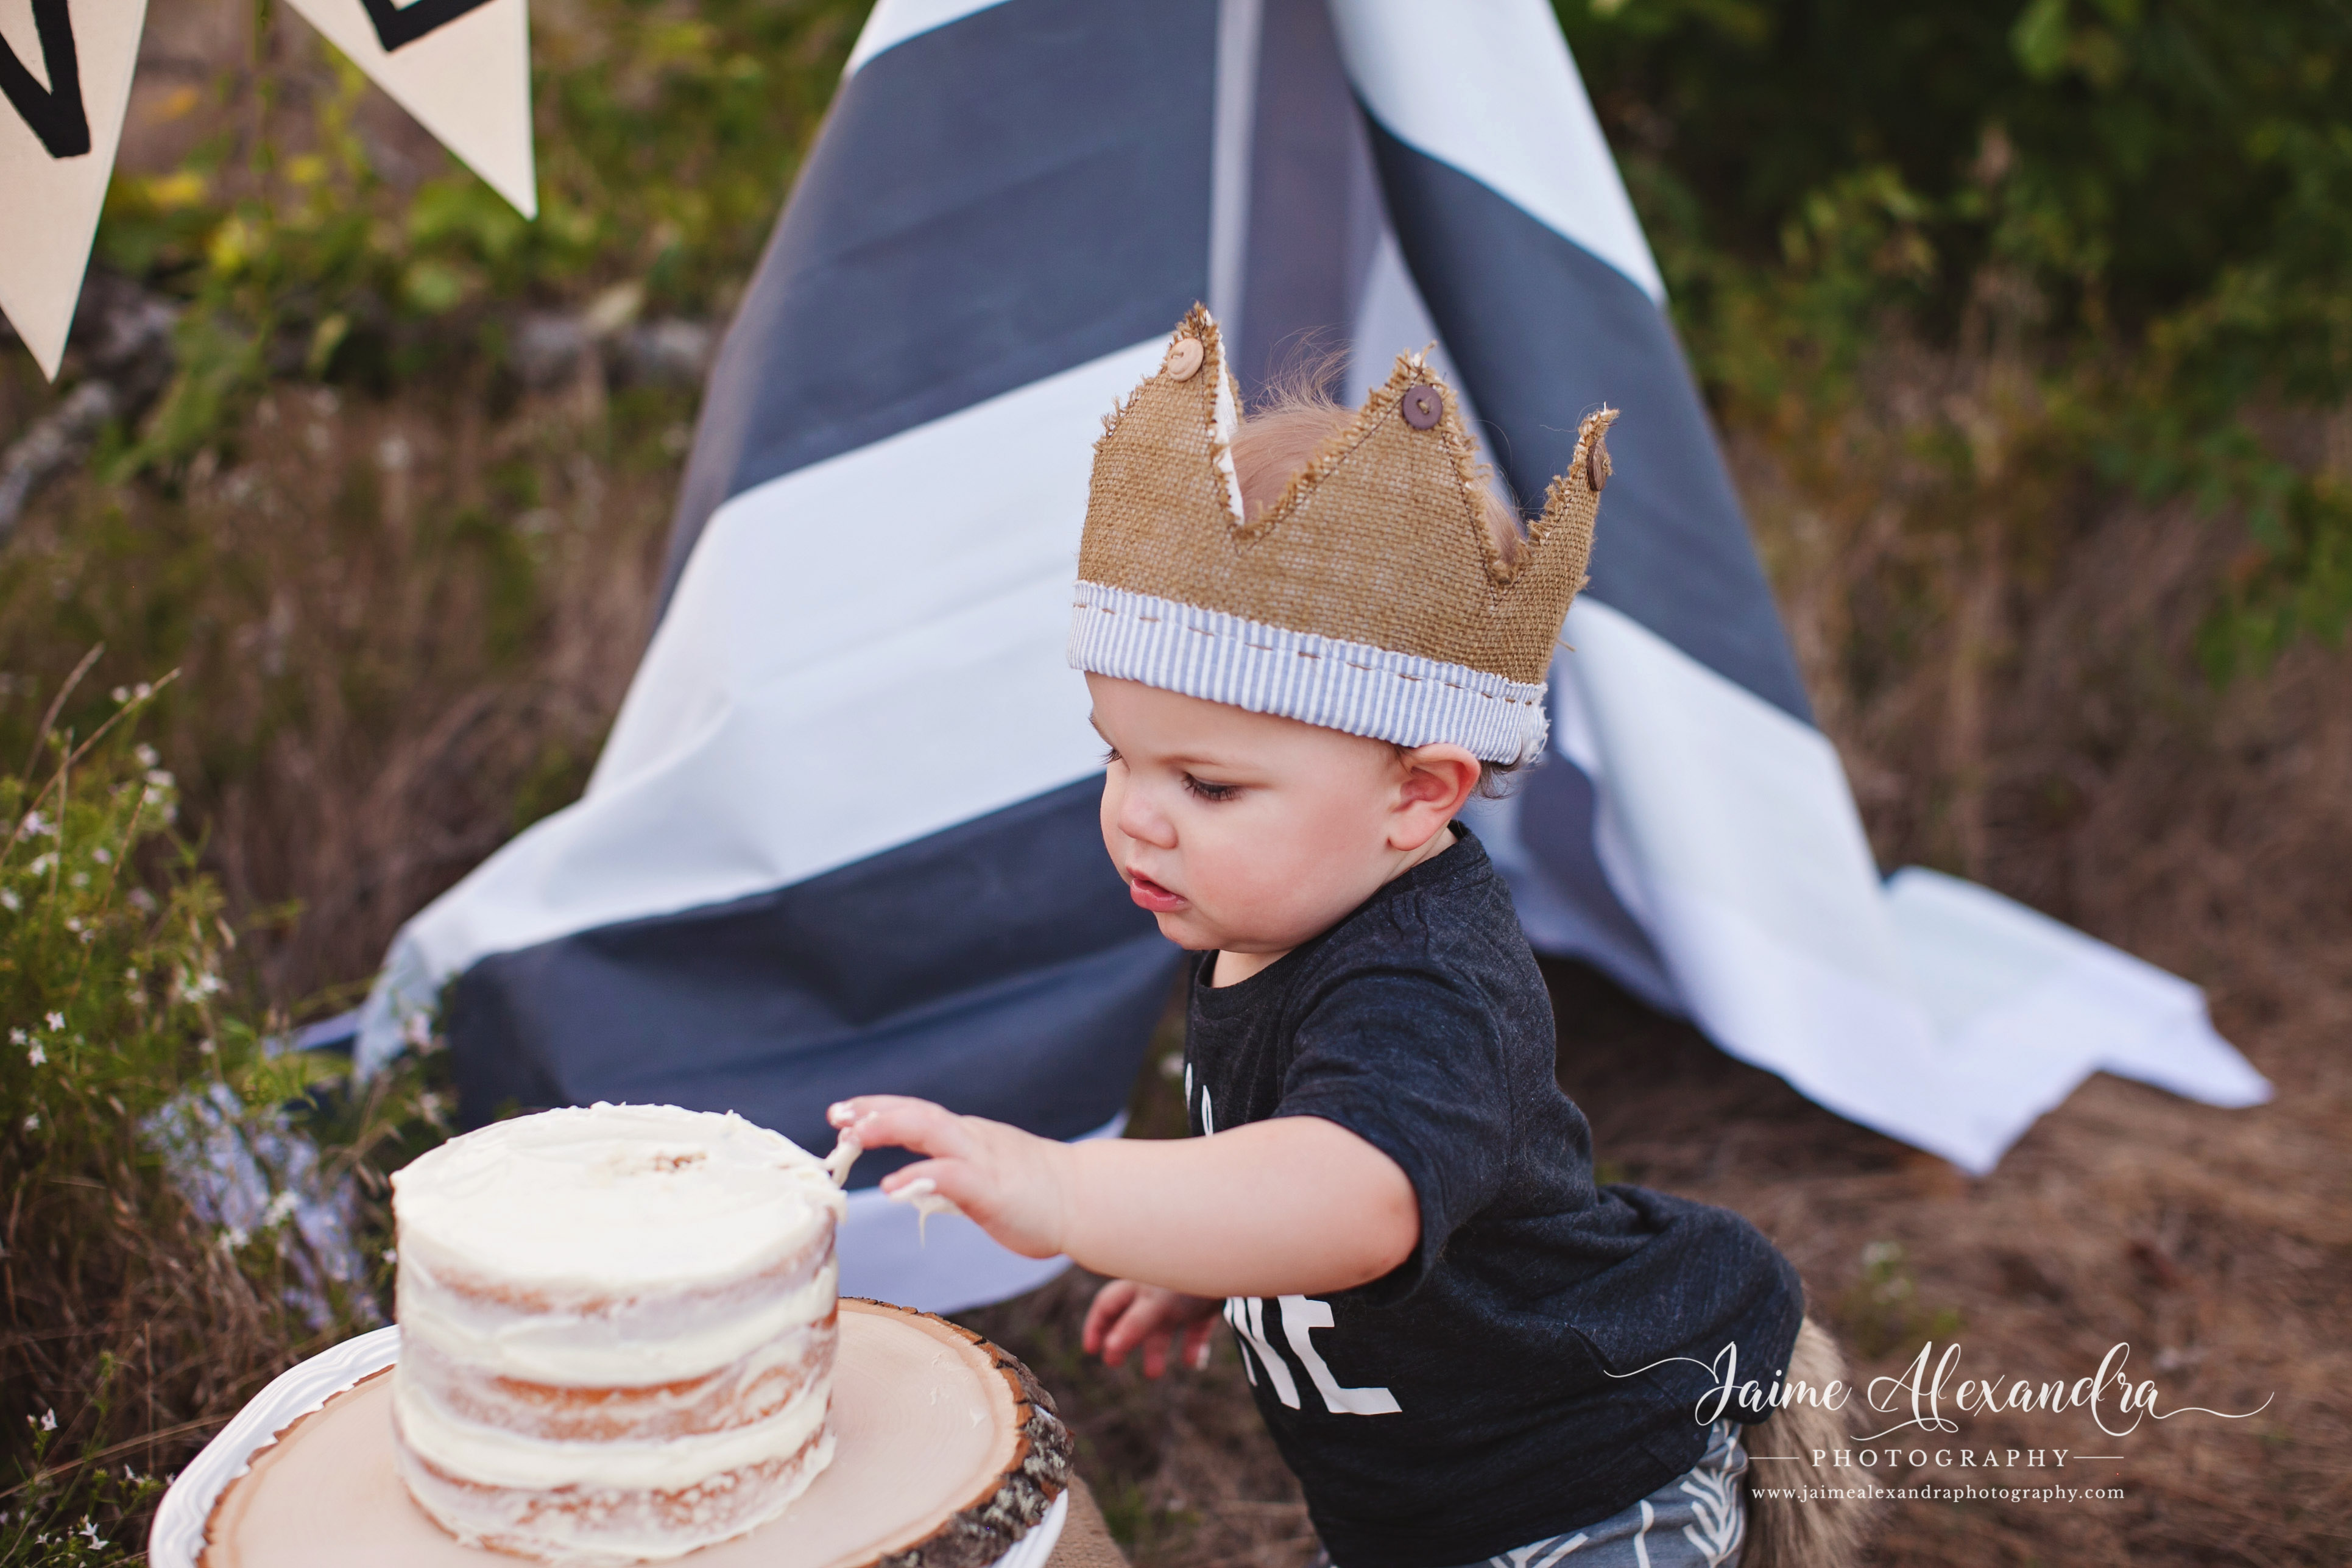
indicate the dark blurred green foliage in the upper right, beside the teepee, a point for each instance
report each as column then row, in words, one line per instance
column 2146, row 201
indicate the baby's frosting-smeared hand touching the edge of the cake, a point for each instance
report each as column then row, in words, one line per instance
column 1003, row 1179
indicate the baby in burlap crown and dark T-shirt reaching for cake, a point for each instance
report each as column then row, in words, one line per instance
column 1309, row 641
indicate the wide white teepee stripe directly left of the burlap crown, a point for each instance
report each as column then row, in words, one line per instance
column 860, row 655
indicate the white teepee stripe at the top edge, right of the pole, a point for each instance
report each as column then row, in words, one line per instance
column 1490, row 88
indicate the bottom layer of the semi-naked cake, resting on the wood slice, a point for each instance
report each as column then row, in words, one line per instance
column 603, row 1527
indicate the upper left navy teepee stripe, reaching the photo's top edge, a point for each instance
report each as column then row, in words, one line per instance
column 994, row 201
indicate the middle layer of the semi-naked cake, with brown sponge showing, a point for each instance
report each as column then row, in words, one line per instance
column 747, row 1391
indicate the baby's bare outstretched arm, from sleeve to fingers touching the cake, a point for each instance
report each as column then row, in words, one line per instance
column 1285, row 1207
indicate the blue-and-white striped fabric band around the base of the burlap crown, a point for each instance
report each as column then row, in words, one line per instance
column 1299, row 676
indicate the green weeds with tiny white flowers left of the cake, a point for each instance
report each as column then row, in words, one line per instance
column 121, row 1308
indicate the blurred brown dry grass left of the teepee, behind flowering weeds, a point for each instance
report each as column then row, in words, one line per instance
column 401, row 626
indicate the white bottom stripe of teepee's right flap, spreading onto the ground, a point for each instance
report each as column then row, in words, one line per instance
column 1935, row 1012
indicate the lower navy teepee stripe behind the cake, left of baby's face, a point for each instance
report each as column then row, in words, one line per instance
column 996, row 967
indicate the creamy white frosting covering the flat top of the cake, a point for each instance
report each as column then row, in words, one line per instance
column 613, row 1198
